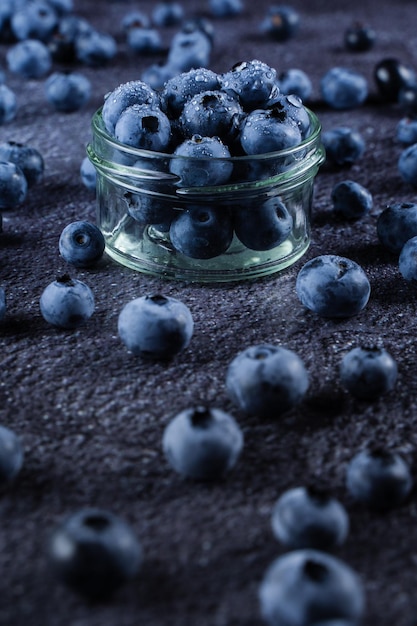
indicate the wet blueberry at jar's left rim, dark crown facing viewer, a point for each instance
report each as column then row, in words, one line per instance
column 144, row 126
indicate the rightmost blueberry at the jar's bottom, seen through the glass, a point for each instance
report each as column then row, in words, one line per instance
column 263, row 227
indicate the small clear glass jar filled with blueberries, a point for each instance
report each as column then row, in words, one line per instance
column 252, row 225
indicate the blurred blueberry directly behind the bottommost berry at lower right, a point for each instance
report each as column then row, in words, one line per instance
column 309, row 517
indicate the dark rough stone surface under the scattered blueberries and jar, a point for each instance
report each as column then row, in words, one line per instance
column 91, row 415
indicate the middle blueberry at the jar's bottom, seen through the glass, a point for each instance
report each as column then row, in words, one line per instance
column 202, row 232
